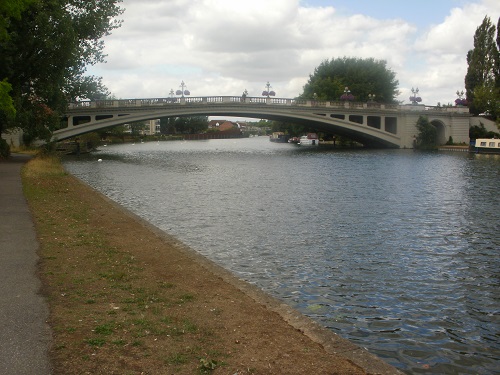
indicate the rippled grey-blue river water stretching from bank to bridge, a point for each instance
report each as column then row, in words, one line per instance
column 396, row 250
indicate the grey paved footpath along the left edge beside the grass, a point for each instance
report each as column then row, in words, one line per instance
column 24, row 334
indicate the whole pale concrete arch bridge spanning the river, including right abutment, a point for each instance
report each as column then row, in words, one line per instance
column 372, row 124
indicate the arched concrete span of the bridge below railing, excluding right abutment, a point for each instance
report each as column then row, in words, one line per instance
column 371, row 130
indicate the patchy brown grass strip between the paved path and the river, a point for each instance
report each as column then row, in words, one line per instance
column 125, row 300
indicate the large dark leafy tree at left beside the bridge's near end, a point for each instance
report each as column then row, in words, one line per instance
column 45, row 55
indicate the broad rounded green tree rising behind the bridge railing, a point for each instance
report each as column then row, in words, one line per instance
column 363, row 77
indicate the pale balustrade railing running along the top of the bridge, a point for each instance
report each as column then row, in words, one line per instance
column 212, row 100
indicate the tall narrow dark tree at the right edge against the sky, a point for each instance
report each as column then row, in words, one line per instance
column 482, row 81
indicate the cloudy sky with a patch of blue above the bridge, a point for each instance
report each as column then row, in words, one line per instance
column 222, row 47
